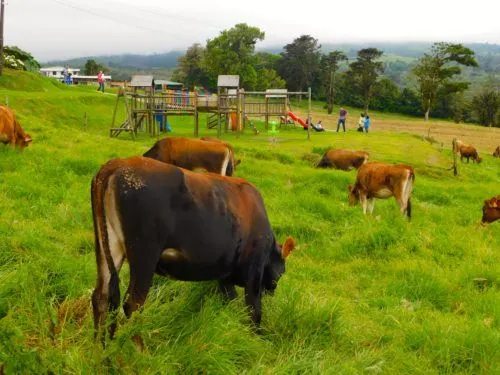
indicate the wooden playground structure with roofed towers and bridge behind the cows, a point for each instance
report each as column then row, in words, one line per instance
column 230, row 109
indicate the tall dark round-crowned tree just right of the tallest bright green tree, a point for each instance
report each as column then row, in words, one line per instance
column 300, row 62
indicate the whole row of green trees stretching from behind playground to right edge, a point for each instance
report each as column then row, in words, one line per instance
column 433, row 86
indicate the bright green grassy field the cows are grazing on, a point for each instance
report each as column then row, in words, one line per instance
column 361, row 294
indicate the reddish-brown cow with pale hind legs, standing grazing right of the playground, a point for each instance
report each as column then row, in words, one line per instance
column 380, row 180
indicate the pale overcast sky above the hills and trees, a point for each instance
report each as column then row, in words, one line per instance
column 51, row 29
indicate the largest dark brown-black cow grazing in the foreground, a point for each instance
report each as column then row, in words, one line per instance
column 178, row 223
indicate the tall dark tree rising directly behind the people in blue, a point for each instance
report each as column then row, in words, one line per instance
column 365, row 71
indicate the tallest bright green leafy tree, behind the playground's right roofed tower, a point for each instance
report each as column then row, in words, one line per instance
column 232, row 52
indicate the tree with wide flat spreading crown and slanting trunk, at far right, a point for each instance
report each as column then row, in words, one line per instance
column 435, row 70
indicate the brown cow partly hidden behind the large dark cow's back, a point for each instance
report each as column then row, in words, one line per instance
column 194, row 154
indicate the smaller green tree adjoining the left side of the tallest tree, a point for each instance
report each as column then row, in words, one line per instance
column 190, row 69
